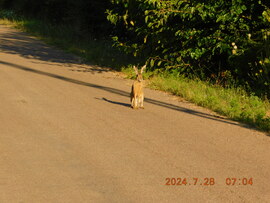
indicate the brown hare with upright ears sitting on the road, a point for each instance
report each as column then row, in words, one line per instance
column 137, row 93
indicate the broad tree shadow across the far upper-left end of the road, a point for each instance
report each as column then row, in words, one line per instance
column 22, row 44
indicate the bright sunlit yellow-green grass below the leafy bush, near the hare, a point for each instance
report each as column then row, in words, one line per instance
column 233, row 102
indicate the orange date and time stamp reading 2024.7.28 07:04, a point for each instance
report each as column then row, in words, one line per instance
column 208, row 181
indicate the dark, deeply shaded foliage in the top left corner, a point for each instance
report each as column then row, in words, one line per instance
column 86, row 17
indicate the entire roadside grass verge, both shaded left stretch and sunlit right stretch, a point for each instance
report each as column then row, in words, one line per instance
column 233, row 103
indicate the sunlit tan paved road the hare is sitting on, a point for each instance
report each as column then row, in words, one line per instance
column 67, row 134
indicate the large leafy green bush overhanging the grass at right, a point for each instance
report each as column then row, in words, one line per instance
column 209, row 39
